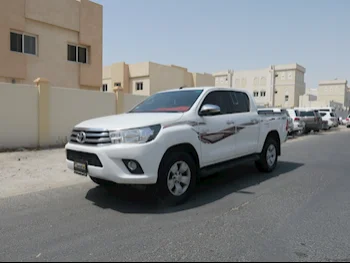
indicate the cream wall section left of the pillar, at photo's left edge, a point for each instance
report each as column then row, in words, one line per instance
column 18, row 116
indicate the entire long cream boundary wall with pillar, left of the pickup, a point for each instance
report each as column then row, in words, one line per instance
column 43, row 116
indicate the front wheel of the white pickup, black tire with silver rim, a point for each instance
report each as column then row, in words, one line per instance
column 170, row 177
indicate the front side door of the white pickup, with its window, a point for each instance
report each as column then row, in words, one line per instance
column 217, row 134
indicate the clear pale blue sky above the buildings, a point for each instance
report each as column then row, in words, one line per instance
column 209, row 36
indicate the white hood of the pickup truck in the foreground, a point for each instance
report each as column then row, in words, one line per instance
column 130, row 120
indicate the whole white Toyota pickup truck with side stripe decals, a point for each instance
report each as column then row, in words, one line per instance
column 175, row 137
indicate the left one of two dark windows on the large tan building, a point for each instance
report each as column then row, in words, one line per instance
column 23, row 43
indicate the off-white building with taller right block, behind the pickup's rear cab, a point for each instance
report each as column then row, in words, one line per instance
column 279, row 85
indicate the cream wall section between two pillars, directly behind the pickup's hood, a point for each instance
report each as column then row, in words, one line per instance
column 69, row 107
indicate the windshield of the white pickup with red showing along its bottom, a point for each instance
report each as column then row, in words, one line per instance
column 173, row 101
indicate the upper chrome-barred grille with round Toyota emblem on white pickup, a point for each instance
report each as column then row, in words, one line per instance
column 95, row 137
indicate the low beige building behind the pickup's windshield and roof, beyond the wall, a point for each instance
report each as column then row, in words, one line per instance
column 148, row 78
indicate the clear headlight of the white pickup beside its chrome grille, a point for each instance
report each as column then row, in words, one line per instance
column 138, row 135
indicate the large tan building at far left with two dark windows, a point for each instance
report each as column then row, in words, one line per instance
column 57, row 40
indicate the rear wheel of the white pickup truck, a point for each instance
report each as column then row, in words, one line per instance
column 270, row 149
